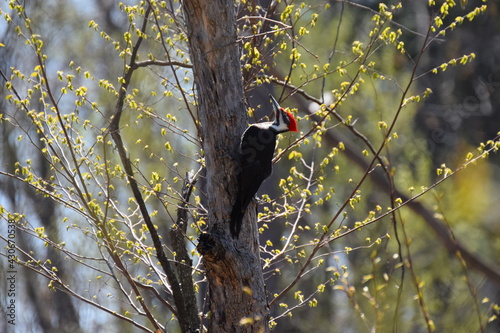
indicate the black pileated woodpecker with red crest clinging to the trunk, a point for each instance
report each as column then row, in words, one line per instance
column 256, row 154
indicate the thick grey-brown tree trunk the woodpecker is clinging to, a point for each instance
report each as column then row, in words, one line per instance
column 237, row 296
